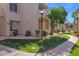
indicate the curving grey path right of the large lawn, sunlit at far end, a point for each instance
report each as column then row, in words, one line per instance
column 63, row 49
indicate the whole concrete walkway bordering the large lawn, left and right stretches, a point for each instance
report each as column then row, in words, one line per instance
column 62, row 50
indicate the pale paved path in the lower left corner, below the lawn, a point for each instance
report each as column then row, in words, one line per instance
column 6, row 51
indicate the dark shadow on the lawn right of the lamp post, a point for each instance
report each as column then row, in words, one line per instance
column 51, row 43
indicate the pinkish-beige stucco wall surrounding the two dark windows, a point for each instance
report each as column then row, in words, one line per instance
column 28, row 14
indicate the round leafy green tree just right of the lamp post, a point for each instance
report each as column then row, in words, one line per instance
column 57, row 16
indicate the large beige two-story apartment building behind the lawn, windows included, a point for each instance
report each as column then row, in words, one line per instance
column 22, row 17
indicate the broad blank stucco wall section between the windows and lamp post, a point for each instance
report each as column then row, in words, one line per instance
column 29, row 14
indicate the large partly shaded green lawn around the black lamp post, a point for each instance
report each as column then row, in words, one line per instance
column 33, row 46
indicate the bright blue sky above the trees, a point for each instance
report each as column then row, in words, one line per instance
column 69, row 7
